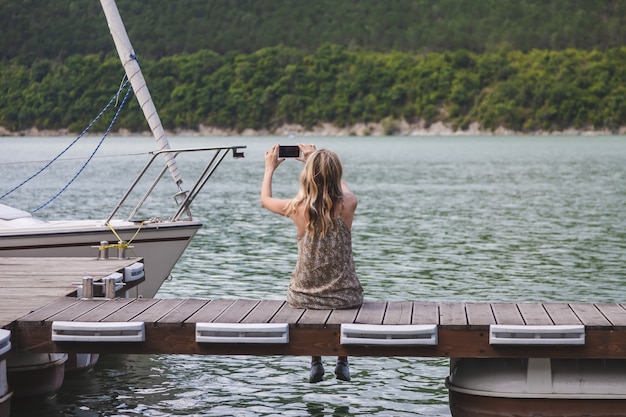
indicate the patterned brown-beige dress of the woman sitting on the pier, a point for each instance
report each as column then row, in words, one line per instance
column 325, row 276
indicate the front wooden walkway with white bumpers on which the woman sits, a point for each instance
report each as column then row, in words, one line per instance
column 462, row 329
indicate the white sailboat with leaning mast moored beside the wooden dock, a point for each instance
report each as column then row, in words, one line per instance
column 159, row 241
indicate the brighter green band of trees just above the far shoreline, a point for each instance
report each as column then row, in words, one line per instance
column 538, row 90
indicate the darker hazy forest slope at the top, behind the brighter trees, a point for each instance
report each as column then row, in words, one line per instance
column 57, row 29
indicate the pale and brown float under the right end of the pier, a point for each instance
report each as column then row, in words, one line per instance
column 537, row 387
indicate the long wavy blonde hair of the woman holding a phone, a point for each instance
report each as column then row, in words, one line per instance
column 320, row 191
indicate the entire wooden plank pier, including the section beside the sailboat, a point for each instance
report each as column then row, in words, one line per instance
column 38, row 294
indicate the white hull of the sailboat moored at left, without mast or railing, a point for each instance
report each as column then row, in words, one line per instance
column 159, row 244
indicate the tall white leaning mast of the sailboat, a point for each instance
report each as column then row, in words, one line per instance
column 131, row 66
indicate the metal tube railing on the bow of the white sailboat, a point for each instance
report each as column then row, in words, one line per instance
column 219, row 153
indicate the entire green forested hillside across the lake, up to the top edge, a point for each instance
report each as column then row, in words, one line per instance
column 524, row 65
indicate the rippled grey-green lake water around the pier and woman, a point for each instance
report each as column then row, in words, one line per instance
column 439, row 218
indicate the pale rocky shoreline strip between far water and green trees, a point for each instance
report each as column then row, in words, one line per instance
column 400, row 128
